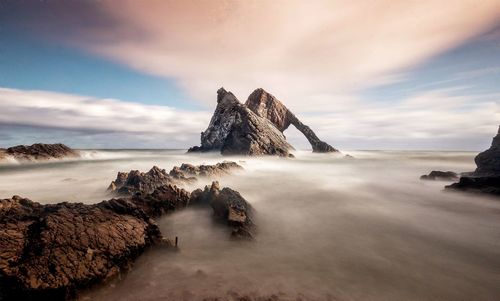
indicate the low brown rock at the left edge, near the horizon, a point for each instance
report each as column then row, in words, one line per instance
column 38, row 151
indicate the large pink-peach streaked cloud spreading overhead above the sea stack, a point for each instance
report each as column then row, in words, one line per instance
column 301, row 49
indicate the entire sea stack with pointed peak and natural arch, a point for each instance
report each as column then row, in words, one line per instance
column 254, row 128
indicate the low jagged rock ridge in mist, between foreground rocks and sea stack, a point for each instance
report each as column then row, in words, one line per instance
column 130, row 183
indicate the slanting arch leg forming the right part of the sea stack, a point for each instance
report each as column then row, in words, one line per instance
column 266, row 105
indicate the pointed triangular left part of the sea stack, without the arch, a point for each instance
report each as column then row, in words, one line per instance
column 235, row 130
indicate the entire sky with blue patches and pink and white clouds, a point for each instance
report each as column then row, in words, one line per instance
column 144, row 74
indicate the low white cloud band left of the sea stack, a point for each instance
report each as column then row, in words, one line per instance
column 52, row 112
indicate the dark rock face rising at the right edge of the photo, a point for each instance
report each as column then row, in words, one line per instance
column 486, row 177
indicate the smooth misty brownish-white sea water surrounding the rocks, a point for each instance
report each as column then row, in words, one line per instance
column 329, row 228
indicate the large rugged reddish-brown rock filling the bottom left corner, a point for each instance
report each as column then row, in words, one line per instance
column 49, row 251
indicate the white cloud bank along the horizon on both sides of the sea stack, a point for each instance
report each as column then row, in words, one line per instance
column 438, row 119
